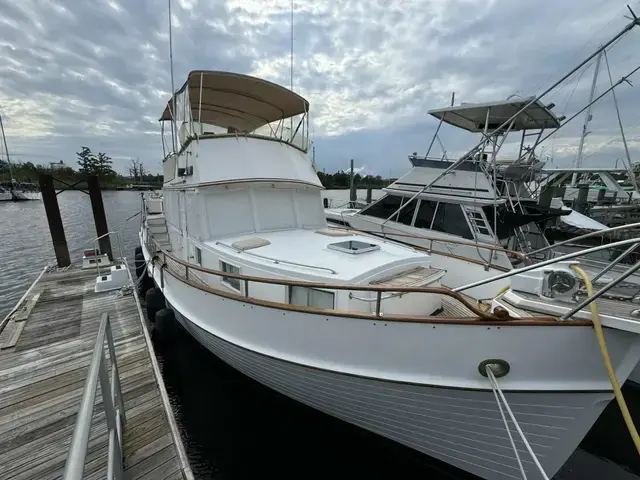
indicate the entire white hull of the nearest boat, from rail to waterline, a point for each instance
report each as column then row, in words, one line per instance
column 406, row 381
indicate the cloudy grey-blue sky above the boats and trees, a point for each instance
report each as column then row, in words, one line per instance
column 96, row 73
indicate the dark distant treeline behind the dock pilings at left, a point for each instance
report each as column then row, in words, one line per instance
column 89, row 163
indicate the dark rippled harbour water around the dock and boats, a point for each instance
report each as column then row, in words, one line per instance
column 234, row 428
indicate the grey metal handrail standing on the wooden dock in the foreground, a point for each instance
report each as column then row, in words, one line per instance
column 113, row 408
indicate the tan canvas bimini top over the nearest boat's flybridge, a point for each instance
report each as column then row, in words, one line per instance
column 232, row 100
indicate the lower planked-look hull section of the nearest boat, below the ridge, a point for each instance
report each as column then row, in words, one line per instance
column 460, row 427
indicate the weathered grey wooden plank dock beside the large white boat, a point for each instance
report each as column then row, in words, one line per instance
column 46, row 346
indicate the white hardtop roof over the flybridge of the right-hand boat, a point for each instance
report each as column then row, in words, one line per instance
column 472, row 116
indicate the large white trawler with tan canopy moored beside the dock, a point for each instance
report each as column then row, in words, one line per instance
column 357, row 326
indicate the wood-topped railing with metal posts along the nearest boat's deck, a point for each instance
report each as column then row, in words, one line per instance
column 482, row 315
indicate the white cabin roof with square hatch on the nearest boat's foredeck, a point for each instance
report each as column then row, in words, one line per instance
column 308, row 248
